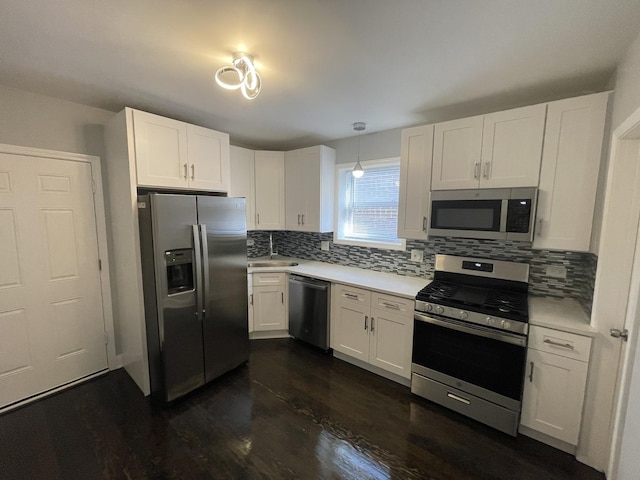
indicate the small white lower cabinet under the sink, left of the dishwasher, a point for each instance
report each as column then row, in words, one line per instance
column 269, row 302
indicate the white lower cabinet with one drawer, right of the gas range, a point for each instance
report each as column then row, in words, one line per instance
column 555, row 382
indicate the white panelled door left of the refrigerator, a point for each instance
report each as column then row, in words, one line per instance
column 52, row 329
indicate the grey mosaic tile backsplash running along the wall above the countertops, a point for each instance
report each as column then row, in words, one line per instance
column 581, row 267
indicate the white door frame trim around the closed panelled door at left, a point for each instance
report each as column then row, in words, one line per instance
column 113, row 360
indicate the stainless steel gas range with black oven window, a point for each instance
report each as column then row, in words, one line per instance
column 470, row 337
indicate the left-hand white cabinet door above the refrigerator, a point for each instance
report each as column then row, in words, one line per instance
column 161, row 151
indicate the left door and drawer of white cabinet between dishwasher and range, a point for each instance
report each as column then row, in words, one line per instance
column 350, row 321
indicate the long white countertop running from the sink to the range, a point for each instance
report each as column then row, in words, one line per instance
column 390, row 283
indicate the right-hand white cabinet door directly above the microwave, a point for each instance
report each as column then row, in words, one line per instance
column 512, row 147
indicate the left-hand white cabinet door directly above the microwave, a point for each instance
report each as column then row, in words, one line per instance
column 457, row 147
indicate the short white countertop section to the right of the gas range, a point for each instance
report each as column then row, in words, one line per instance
column 564, row 314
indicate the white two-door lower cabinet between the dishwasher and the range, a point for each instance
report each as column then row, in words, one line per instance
column 372, row 327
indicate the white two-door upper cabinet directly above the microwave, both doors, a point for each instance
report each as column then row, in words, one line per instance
column 498, row 150
